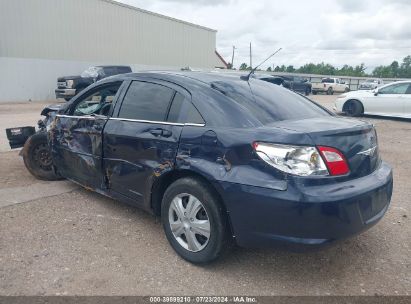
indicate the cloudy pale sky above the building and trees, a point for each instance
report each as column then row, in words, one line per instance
column 373, row 32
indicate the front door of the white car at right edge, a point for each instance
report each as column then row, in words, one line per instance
column 388, row 100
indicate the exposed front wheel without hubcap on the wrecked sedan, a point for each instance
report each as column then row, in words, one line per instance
column 37, row 157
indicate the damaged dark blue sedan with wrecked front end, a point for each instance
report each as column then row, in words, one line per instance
column 219, row 158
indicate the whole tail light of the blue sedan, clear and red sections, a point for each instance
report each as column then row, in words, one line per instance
column 303, row 160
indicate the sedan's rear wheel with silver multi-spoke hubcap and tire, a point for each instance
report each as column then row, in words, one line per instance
column 194, row 221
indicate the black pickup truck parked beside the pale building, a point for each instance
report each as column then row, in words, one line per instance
column 69, row 86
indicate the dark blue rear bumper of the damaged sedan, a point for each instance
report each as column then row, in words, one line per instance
column 315, row 215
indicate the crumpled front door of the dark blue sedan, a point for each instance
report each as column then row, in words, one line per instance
column 76, row 135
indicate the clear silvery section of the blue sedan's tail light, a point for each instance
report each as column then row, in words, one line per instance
column 297, row 160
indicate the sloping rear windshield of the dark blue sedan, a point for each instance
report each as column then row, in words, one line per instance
column 269, row 103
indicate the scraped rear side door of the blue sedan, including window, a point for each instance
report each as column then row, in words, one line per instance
column 139, row 141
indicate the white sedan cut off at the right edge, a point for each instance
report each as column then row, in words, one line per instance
column 393, row 99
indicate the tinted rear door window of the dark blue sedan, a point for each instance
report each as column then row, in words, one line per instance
column 146, row 101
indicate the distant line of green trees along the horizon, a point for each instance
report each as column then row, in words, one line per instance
column 394, row 70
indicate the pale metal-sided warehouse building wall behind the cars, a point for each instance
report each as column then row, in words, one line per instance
column 43, row 39
